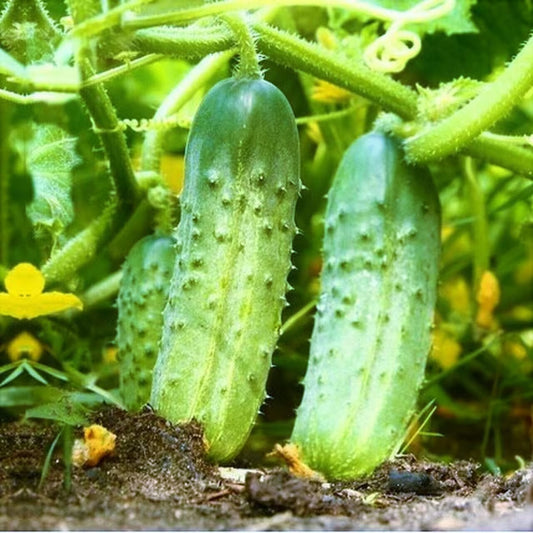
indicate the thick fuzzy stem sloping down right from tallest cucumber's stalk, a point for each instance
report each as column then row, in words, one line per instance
column 297, row 53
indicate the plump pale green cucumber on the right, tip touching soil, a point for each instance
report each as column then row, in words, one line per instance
column 372, row 330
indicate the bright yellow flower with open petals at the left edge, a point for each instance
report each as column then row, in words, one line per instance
column 25, row 297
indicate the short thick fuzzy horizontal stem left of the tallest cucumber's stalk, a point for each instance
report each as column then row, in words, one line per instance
column 191, row 42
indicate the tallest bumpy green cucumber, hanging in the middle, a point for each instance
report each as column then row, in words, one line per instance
column 234, row 240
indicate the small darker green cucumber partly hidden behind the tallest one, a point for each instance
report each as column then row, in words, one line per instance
column 142, row 296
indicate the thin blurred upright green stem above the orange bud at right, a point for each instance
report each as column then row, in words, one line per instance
column 476, row 200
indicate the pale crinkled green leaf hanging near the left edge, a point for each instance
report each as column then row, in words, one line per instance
column 51, row 159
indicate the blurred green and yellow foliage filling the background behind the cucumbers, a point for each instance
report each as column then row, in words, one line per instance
column 59, row 189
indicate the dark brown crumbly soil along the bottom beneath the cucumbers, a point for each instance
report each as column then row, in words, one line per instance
column 158, row 478
